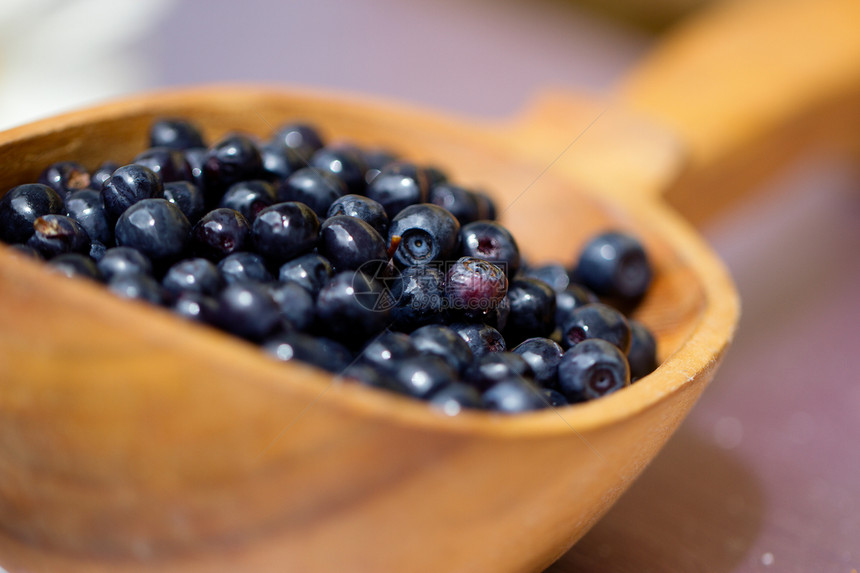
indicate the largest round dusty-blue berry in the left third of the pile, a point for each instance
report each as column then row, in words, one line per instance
column 155, row 227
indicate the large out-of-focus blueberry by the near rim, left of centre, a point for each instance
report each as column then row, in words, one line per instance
column 247, row 310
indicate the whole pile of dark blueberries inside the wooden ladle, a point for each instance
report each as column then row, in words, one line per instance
column 376, row 269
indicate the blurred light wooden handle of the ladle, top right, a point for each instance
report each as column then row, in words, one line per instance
column 747, row 85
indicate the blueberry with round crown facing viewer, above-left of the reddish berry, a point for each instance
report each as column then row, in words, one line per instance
column 425, row 233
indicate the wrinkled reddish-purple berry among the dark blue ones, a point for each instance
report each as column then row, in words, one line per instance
column 474, row 287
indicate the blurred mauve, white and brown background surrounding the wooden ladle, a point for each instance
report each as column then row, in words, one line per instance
column 763, row 474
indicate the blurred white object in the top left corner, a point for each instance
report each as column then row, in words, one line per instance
column 56, row 55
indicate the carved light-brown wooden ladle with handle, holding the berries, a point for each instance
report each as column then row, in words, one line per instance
column 133, row 441
